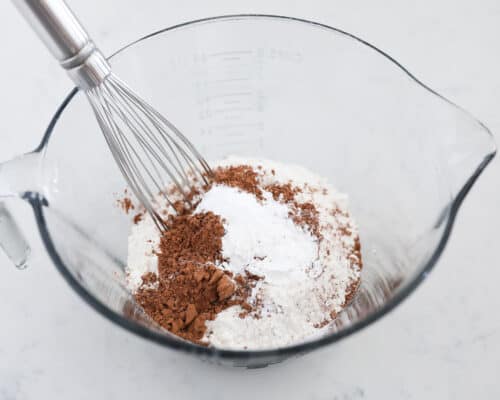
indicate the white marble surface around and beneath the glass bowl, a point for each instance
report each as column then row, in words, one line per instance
column 440, row 343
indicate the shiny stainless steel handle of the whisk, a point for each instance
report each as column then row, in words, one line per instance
column 67, row 40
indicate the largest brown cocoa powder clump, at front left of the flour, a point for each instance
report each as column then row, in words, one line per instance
column 189, row 288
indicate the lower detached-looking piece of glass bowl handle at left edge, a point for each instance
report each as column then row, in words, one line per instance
column 12, row 240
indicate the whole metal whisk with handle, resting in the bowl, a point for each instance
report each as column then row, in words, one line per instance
column 149, row 150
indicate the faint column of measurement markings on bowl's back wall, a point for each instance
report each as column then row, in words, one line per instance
column 230, row 98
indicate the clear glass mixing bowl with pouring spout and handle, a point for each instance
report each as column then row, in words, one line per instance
column 271, row 87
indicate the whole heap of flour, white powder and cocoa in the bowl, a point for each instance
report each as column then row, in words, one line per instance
column 263, row 257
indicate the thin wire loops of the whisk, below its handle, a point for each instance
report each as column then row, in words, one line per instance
column 149, row 150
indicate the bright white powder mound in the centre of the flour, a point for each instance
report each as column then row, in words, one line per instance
column 260, row 237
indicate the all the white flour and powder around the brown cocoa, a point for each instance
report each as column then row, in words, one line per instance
column 305, row 279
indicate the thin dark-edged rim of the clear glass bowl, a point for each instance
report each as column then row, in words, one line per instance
column 38, row 207
